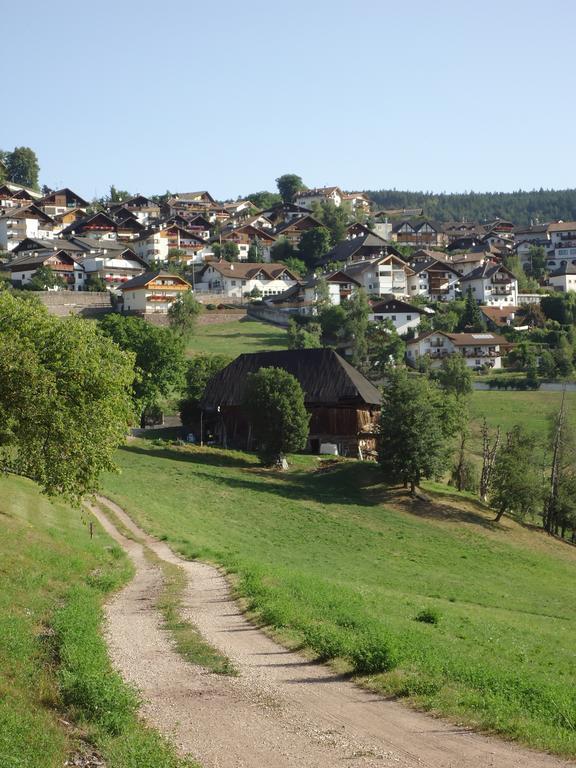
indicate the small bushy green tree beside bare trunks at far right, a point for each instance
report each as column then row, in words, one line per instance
column 516, row 485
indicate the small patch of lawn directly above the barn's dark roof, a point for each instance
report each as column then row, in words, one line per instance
column 235, row 337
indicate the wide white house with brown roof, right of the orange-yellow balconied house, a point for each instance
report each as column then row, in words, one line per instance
column 239, row 279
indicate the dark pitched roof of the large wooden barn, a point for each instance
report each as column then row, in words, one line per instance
column 325, row 377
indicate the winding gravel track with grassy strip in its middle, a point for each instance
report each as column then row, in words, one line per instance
column 282, row 711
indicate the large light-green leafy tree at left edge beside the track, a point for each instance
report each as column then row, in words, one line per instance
column 65, row 401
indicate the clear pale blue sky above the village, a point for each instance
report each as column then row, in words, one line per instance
column 226, row 96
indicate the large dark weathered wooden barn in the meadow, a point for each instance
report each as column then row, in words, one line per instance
column 344, row 406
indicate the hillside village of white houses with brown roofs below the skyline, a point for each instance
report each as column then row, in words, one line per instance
column 146, row 251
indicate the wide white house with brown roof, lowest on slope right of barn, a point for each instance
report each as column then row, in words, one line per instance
column 478, row 349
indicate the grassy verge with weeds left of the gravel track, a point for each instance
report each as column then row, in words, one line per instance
column 53, row 660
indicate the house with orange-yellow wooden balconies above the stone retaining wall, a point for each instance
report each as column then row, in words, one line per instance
column 153, row 292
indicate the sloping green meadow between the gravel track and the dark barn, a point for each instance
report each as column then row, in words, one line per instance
column 333, row 560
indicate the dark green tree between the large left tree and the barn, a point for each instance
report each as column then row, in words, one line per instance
column 159, row 357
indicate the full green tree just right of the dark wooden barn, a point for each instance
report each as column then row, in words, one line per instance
column 415, row 427
